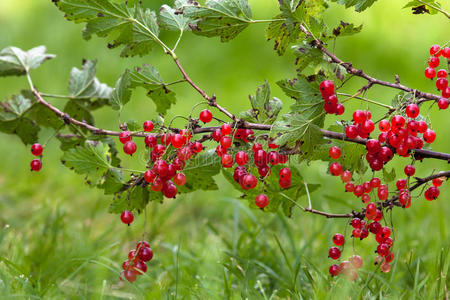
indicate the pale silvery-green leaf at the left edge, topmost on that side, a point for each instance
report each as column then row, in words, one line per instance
column 15, row 61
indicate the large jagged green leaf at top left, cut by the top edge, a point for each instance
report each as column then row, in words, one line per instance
column 133, row 27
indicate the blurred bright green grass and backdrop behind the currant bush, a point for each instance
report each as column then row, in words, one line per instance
column 58, row 241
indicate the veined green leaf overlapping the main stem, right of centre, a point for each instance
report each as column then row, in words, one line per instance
column 293, row 128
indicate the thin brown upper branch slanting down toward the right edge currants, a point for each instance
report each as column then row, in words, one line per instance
column 360, row 73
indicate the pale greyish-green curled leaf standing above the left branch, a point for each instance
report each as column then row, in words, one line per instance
column 84, row 84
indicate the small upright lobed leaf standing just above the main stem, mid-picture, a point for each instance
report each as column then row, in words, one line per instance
column 264, row 109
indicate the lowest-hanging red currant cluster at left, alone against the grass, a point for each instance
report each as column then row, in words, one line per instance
column 136, row 263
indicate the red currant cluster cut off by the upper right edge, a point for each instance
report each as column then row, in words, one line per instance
column 430, row 72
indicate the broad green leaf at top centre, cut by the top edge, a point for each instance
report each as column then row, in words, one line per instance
column 223, row 18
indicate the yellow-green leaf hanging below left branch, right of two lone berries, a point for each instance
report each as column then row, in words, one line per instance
column 91, row 160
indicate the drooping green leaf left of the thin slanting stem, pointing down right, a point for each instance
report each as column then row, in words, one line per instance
column 149, row 78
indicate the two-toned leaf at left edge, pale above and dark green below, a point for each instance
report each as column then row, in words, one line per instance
column 14, row 119
